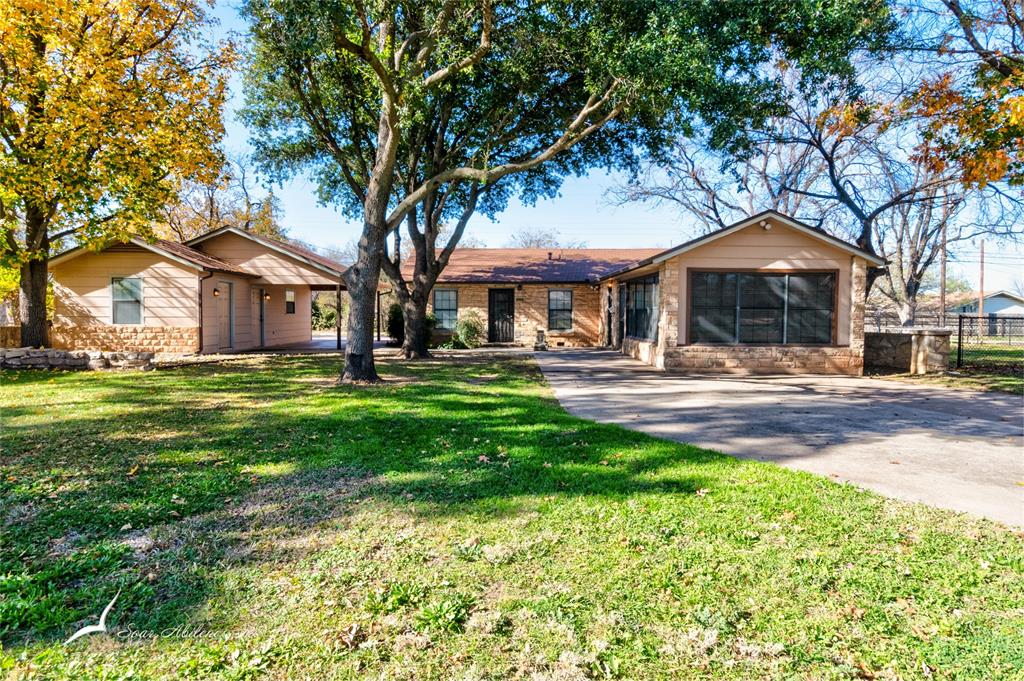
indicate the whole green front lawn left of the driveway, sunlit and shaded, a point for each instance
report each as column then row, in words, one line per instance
column 456, row 524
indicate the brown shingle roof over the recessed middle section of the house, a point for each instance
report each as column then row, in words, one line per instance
column 537, row 266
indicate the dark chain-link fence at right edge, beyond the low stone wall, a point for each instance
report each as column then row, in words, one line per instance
column 989, row 343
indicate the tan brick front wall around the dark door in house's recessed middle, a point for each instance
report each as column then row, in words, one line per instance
column 532, row 312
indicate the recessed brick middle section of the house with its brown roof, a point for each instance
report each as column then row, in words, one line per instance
column 519, row 291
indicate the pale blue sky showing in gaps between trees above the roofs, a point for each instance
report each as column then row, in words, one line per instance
column 581, row 212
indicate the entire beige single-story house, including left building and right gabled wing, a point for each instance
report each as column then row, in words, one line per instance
column 769, row 294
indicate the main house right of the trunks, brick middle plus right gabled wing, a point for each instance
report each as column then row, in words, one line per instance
column 769, row 294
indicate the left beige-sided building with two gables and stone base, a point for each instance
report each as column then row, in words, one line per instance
column 225, row 291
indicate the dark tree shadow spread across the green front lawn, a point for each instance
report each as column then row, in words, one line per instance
column 241, row 478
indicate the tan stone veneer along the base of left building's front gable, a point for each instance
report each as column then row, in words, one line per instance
column 172, row 340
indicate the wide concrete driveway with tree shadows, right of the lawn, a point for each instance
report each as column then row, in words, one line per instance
column 958, row 450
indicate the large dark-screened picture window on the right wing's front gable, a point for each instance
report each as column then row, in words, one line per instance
column 756, row 309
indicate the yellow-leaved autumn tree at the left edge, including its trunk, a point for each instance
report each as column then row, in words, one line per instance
column 105, row 106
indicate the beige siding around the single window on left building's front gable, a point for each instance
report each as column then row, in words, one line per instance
column 82, row 289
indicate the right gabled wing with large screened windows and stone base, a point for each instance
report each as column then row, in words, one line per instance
column 767, row 294
